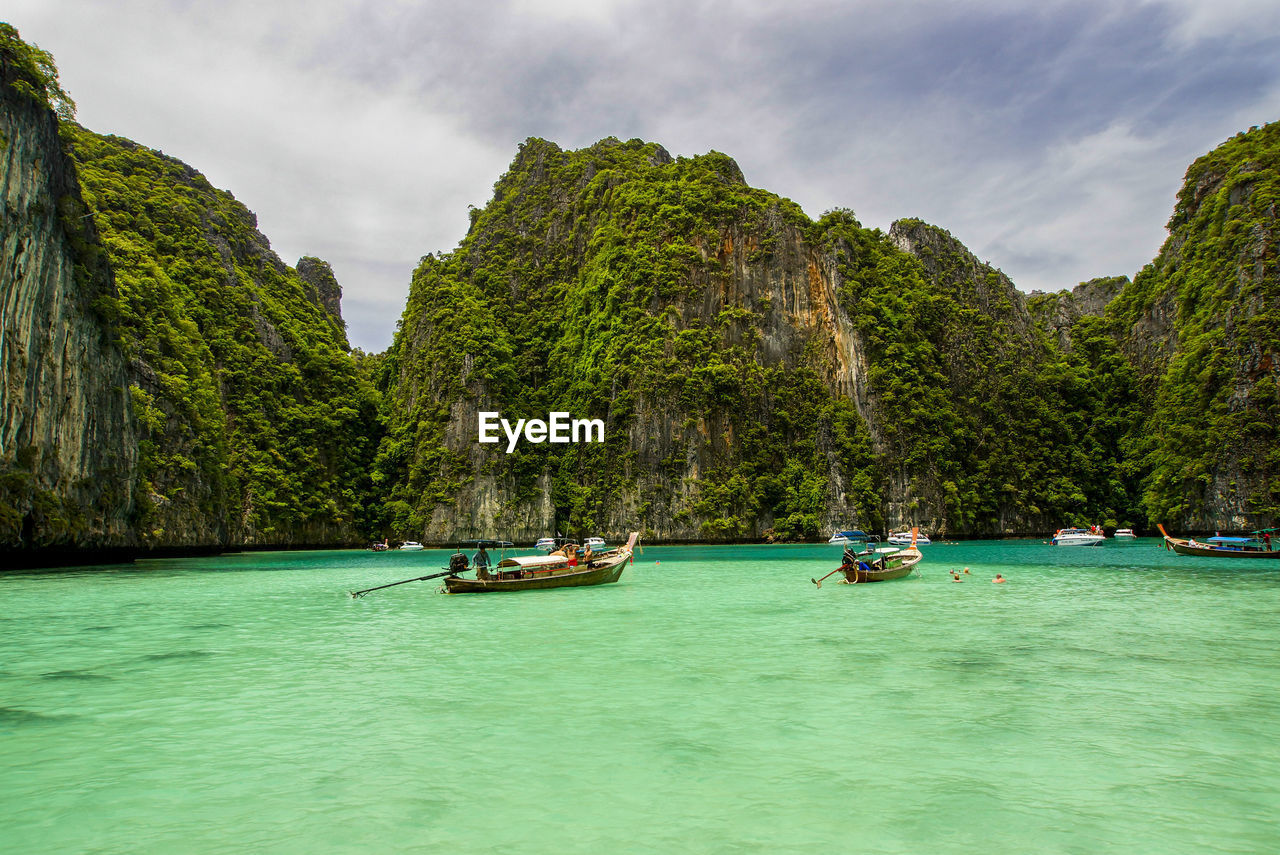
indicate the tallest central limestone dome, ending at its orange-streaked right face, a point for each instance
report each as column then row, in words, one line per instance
column 682, row 341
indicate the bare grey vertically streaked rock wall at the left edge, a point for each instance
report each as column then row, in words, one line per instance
column 68, row 442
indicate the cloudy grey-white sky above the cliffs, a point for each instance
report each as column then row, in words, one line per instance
column 1050, row 138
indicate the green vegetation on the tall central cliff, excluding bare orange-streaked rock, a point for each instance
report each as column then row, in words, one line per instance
column 583, row 287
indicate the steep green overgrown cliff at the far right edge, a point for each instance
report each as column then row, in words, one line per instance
column 1213, row 442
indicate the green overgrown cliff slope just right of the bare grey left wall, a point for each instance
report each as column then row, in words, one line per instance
column 258, row 426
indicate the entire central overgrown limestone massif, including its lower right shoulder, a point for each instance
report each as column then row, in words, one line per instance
column 756, row 371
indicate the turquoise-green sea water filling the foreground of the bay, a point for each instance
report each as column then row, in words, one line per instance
column 1107, row 699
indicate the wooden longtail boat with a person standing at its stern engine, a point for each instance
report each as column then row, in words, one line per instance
column 560, row 569
